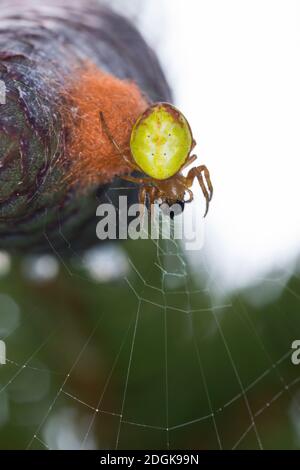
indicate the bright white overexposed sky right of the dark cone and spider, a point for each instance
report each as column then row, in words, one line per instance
column 234, row 67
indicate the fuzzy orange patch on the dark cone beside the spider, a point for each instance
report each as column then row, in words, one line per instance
column 92, row 157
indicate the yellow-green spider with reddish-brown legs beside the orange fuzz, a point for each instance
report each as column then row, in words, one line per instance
column 160, row 147
